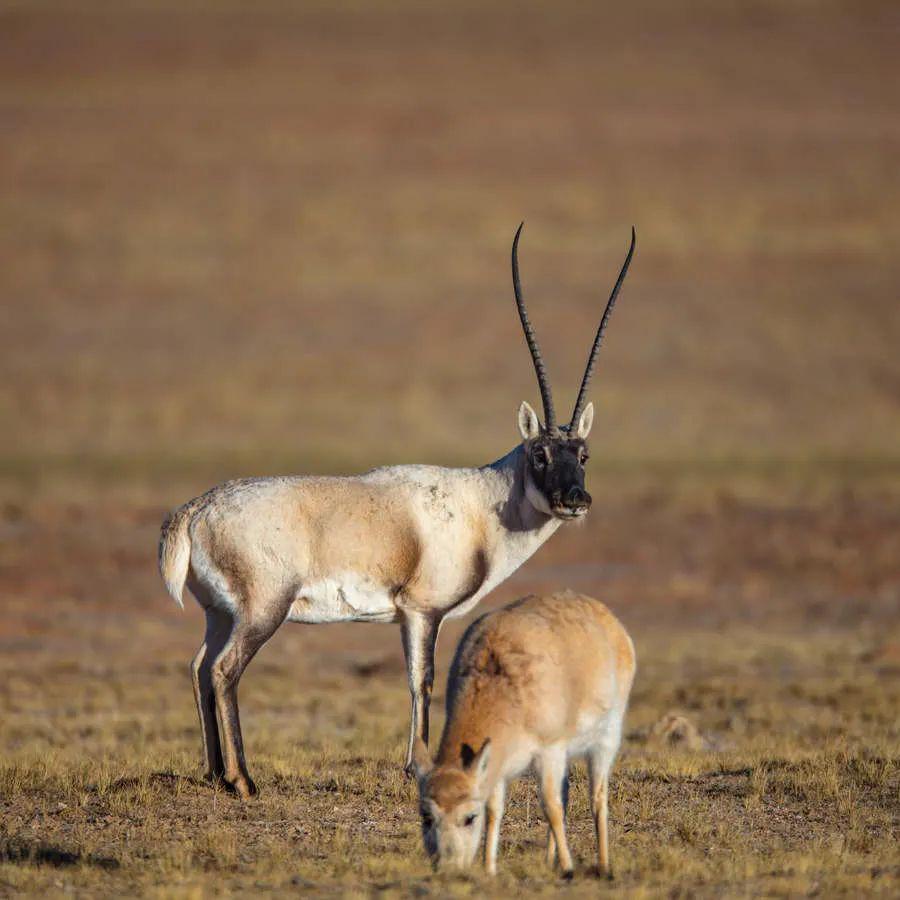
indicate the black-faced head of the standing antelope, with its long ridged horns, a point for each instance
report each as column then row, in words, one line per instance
column 555, row 455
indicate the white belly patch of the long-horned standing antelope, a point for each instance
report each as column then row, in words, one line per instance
column 342, row 598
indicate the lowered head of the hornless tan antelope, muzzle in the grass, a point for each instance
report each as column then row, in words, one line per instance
column 451, row 803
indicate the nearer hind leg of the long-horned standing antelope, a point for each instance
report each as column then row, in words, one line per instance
column 247, row 636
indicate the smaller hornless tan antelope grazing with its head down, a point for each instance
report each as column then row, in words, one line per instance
column 539, row 682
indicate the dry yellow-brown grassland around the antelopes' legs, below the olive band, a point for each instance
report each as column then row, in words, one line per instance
column 772, row 630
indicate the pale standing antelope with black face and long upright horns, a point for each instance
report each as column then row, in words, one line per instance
column 407, row 544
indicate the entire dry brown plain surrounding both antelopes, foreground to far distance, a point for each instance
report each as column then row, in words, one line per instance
column 238, row 241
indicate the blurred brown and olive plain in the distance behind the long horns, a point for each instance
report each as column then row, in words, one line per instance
column 236, row 240
